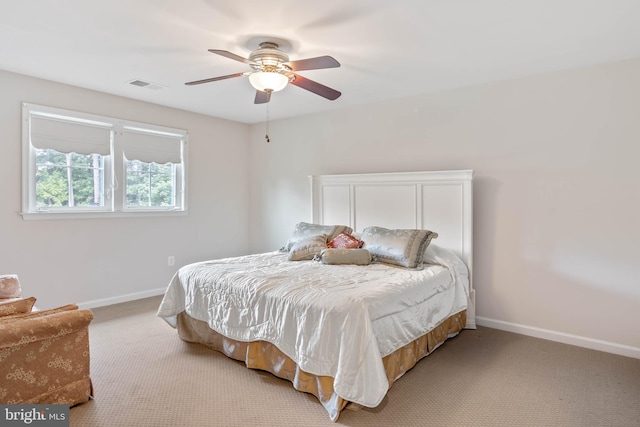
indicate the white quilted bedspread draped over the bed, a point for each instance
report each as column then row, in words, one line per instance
column 332, row 320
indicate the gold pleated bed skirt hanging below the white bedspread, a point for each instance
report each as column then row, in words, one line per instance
column 267, row 357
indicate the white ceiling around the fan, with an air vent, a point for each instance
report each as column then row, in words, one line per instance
column 387, row 49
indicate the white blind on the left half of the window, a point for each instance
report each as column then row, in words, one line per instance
column 67, row 136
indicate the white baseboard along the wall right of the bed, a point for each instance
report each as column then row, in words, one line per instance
column 609, row 347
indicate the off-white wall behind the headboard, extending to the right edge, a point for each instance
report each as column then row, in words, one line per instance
column 556, row 191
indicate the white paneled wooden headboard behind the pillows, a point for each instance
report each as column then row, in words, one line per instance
column 439, row 201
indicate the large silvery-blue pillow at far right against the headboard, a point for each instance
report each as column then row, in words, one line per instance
column 404, row 248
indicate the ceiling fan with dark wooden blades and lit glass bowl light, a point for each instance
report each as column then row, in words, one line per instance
column 272, row 71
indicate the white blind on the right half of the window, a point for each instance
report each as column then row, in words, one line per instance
column 151, row 147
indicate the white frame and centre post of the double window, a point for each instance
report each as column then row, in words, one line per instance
column 114, row 168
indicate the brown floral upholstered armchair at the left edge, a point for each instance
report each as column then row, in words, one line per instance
column 44, row 355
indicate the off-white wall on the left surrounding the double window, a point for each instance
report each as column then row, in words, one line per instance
column 99, row 261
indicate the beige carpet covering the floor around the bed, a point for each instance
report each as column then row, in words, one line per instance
column 144, row 375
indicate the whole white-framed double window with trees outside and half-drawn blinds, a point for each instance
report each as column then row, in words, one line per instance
column 77, row 164
